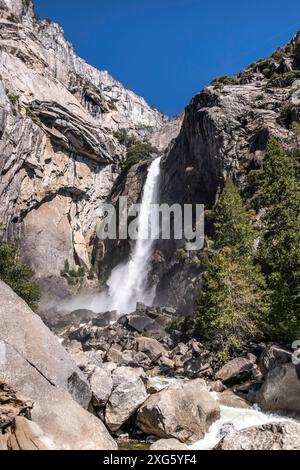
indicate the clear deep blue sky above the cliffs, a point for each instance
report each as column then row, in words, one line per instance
column 167, row 50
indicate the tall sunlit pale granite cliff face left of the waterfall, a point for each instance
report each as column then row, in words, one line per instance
column 59, row 157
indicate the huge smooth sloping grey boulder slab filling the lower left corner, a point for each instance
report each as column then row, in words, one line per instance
column 34, row 363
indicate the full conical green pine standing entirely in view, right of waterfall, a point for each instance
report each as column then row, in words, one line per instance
column 232, row 303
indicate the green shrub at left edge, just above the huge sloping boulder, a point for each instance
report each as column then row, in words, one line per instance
column 18, row 275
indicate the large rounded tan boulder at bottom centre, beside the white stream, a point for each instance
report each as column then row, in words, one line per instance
column 183, row 411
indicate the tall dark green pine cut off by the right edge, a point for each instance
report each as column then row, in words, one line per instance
column 279, row 250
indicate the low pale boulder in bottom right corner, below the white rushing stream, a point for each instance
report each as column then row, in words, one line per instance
column 272, row 436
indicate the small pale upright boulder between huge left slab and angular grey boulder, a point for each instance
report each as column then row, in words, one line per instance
column 101, row 384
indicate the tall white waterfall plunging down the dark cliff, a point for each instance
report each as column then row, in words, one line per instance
column 128, row 282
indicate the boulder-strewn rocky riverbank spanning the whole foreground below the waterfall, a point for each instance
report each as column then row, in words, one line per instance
column 129, row 380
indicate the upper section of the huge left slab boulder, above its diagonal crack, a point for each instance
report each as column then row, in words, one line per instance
column 25, row 332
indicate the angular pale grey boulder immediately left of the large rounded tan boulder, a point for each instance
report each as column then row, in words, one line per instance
column 128, row 394
